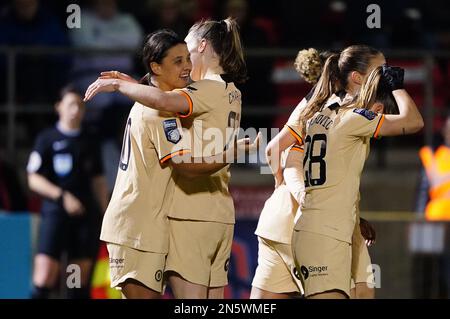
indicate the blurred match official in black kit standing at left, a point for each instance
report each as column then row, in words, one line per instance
column 65, row 169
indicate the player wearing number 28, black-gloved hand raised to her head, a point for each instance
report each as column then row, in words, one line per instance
column 336, row 146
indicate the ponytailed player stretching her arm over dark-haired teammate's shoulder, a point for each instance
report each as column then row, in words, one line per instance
column 201, row 215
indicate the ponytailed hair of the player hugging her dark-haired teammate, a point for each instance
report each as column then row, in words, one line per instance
column 226, row 42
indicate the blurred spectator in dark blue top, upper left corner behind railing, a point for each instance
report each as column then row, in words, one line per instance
column 29, row 23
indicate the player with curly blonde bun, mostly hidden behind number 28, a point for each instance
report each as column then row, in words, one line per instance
column 276, row 275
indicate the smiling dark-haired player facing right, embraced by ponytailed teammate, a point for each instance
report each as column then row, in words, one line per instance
column 135, row 224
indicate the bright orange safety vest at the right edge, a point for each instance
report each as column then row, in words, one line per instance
column 437, row 168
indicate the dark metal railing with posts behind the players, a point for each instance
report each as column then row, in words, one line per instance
column 11, row 109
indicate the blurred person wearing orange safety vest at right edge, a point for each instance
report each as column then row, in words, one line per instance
column 433, row 201
